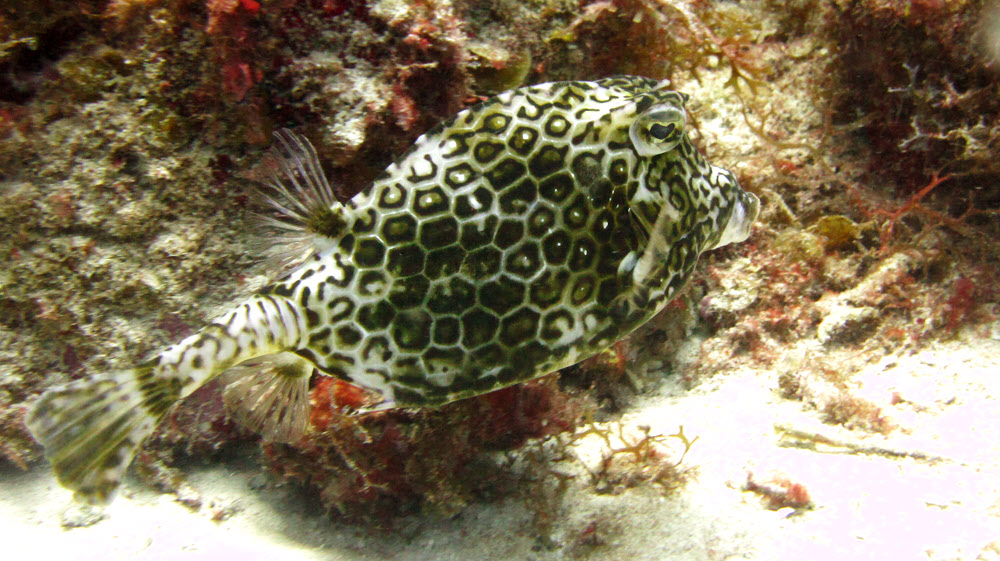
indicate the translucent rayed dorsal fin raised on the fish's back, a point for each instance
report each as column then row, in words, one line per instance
column 305, row 214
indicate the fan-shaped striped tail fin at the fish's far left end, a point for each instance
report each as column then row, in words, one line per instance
column 91, row 429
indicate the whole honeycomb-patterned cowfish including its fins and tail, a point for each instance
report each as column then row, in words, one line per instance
column 525, row 234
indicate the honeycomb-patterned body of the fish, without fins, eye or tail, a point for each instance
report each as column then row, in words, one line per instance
column 493, row 251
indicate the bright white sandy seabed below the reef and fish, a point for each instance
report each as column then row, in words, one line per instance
column 928, row 490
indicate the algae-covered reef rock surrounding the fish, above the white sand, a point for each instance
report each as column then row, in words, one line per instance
column 123, row 215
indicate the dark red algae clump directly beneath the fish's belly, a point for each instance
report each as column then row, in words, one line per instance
column 374, row 466
